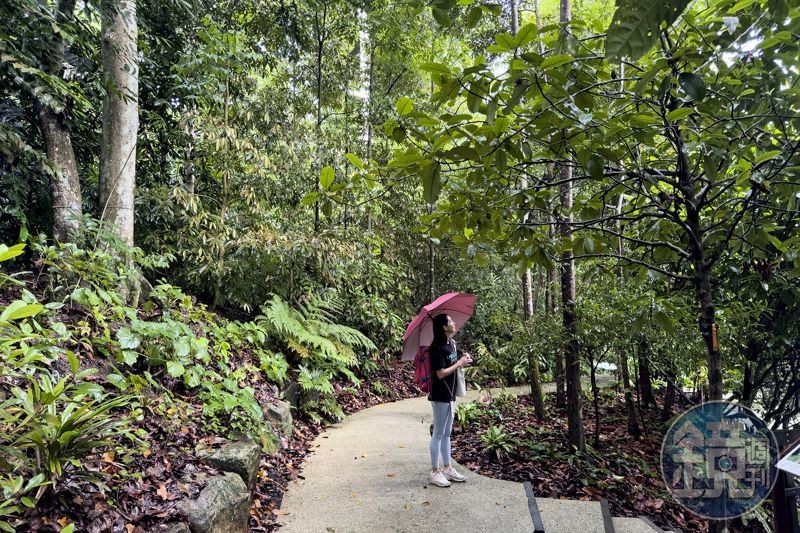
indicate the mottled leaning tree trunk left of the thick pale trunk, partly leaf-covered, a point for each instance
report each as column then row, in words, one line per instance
column 65, row 187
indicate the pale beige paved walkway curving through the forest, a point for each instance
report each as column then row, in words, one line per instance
column 369, row 473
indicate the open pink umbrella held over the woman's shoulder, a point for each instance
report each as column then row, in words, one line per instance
column 459, row 305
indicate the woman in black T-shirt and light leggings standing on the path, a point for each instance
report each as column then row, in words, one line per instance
column 444, row 364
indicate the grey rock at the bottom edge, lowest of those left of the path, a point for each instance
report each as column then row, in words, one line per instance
column 222, row 507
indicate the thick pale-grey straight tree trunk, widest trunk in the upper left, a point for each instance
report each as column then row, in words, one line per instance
column 120, row 116
